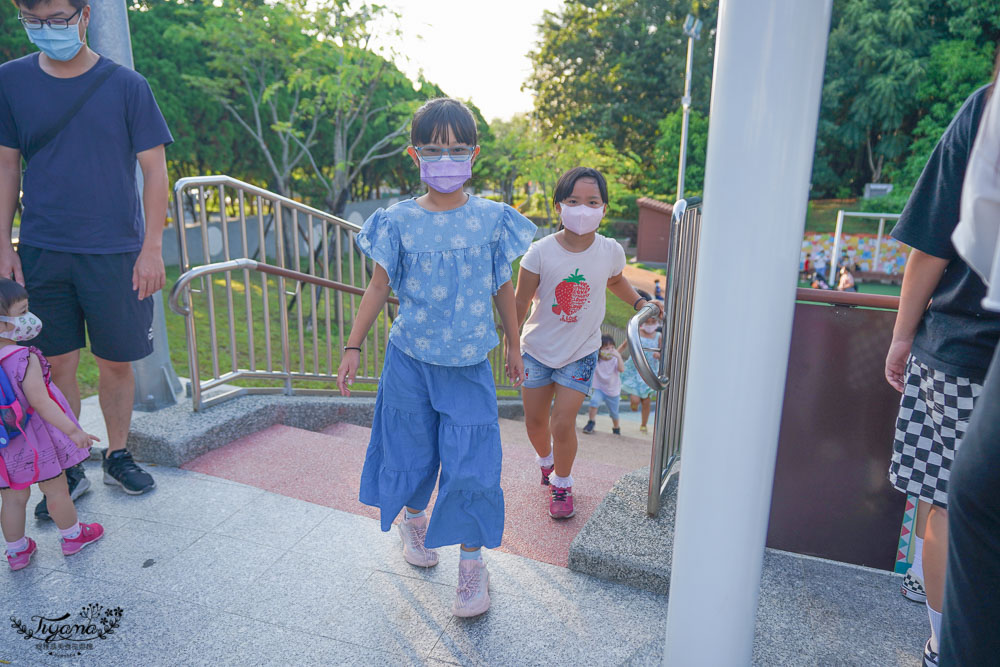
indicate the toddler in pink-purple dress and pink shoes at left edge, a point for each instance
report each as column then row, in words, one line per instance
column 49, row 442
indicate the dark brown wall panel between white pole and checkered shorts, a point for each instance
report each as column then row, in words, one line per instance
column 831, row 496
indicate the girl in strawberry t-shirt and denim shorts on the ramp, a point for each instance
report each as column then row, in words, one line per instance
column 563, row 278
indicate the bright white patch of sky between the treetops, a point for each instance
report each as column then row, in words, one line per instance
column 473, row 49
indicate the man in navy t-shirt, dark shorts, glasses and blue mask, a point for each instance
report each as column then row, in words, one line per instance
column 89, row 261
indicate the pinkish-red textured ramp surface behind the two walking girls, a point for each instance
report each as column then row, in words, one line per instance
column 325, row 468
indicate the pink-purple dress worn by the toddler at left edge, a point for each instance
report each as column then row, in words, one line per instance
column 56, row 451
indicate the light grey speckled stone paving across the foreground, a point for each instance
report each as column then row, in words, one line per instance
column 207, row 571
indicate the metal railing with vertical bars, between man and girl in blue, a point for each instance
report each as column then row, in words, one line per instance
column 262, row 327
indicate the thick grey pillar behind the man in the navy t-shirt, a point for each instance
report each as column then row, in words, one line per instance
column 156, row 383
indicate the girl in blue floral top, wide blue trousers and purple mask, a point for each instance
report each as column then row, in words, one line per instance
column 446, row 255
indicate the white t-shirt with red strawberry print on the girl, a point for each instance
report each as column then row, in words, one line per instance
column 568, row 307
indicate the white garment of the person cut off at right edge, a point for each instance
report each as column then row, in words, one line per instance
column 976, row 235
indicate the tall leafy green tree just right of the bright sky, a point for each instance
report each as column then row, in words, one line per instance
column 609, row 68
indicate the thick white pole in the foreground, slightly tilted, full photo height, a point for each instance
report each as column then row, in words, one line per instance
column 765, row 107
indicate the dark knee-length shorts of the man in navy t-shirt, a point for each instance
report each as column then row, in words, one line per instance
column 78, row 295
